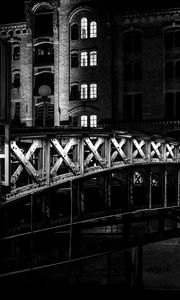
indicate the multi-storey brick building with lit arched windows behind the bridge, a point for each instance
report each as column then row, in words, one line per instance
column 102, row 65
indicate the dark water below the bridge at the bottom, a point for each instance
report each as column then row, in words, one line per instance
column 107, row 274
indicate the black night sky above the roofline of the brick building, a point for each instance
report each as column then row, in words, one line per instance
column 13, row 10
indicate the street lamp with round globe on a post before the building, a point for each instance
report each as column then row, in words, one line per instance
column 44, row 91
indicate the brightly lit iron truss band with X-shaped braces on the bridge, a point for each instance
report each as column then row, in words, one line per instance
column 41, row 159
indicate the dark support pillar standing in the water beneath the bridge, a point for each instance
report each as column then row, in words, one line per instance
column 134, row 267
